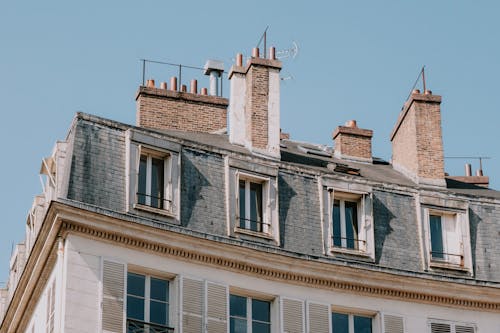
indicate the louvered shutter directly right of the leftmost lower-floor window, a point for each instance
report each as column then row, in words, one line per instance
column 192, row 306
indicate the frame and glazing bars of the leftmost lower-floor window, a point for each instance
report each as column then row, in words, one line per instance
column 147, row 299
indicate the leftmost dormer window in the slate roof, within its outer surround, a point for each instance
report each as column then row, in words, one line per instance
column 153, row 180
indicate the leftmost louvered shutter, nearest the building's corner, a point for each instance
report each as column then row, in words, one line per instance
column 113, row 290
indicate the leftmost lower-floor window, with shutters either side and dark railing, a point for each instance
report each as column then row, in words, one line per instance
column 147, row 304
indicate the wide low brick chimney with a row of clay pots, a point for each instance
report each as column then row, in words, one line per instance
column 162, row 108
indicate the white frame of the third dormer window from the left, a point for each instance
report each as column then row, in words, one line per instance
column 364, row 210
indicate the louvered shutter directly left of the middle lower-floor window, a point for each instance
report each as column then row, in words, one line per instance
column 216, row 319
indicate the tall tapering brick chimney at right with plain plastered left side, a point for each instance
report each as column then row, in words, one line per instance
column 417, row 143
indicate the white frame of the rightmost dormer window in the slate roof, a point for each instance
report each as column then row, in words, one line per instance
column 462, row 239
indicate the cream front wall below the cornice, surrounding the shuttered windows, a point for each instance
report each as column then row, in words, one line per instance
column 82, row 296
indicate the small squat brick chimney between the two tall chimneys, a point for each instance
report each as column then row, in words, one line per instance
column 353, row 143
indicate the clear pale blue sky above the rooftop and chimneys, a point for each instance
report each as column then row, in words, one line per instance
column 357, row 60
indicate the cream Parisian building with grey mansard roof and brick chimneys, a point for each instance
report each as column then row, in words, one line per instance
column 184, row 224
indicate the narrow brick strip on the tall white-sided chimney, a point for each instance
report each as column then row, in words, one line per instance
column 257, row 104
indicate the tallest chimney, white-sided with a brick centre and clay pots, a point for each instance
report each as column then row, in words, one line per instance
column 254, row 104
